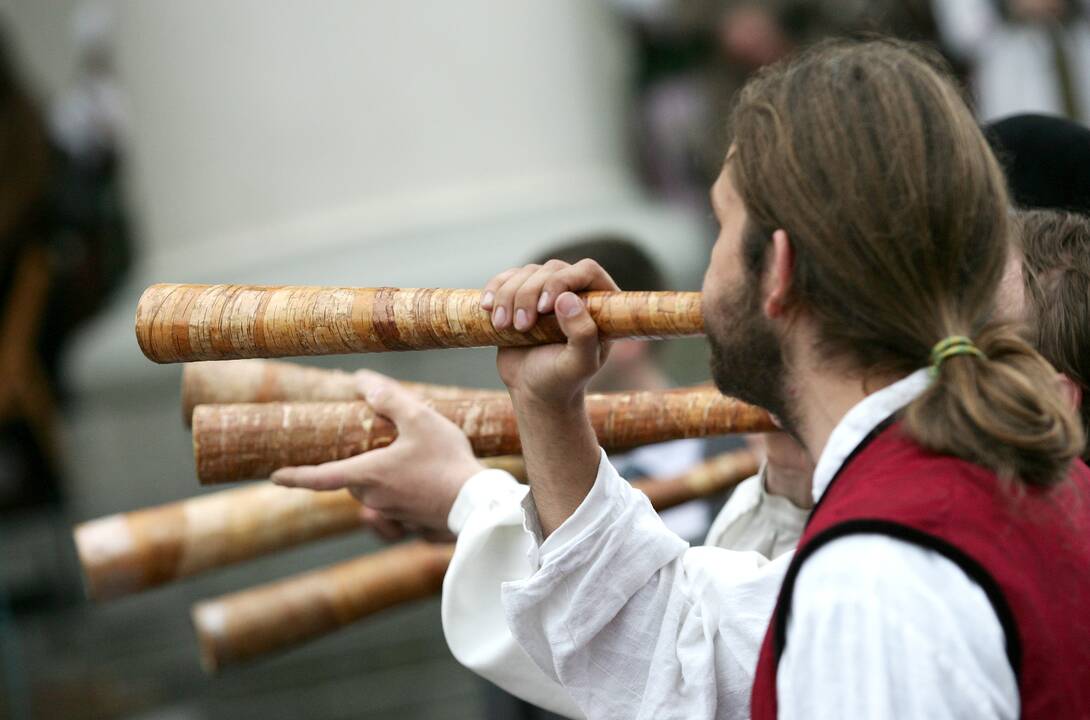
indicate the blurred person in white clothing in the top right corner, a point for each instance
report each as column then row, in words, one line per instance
column 1026, row 56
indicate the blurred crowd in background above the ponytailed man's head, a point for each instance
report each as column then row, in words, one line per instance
column 1015, row 57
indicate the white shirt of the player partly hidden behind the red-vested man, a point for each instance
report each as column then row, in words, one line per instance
column 493, row 548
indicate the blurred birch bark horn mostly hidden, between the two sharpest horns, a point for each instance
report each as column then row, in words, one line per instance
column 260, row 382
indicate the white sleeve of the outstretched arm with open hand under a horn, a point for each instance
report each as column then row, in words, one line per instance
column 492, row 548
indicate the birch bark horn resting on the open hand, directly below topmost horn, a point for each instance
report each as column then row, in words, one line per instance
column 250, row 442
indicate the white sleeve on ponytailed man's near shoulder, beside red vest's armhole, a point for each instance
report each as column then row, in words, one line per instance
column 912, row 634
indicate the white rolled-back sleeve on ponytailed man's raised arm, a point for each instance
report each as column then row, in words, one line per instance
column 633, row 623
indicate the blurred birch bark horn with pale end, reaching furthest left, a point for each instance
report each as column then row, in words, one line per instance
column 135, row 552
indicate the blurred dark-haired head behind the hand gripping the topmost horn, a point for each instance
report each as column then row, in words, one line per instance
column 633, row 364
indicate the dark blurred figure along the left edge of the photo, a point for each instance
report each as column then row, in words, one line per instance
column 64, row 249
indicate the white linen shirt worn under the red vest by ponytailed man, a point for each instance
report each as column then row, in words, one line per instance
column 635, row 625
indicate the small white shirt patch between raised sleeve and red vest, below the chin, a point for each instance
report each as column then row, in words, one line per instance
column 754, row 520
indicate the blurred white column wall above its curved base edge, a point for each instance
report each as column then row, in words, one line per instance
column 286, row 127
